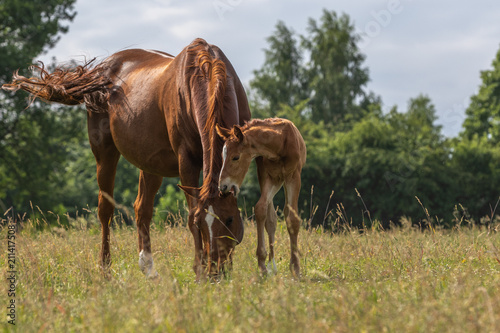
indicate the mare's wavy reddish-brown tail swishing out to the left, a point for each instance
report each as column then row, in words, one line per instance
column 65, row 86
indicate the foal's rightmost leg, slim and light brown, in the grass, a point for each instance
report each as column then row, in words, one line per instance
column 292, row 189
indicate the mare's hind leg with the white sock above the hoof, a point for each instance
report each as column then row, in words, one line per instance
column 143, row 206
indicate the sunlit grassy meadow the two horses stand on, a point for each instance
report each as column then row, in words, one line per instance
column 395, row 281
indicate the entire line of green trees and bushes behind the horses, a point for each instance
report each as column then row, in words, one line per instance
column 364, row 166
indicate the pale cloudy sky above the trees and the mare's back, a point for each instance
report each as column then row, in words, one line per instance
column 412, row 47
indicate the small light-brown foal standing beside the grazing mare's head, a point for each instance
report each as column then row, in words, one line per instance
column 280, row 153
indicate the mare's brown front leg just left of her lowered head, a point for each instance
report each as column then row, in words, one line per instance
column 189, row 175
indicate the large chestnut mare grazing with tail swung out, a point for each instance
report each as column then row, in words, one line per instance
column 159, row 112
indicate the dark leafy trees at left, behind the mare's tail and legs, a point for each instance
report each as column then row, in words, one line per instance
column 45, row 155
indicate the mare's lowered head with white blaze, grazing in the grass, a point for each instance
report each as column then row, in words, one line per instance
column 221, row 228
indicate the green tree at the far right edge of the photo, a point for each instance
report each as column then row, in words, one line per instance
column 476, row 156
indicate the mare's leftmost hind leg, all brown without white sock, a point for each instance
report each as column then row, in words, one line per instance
column 106, row 156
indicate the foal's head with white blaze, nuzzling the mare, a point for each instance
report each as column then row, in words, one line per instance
column 236, row 160
